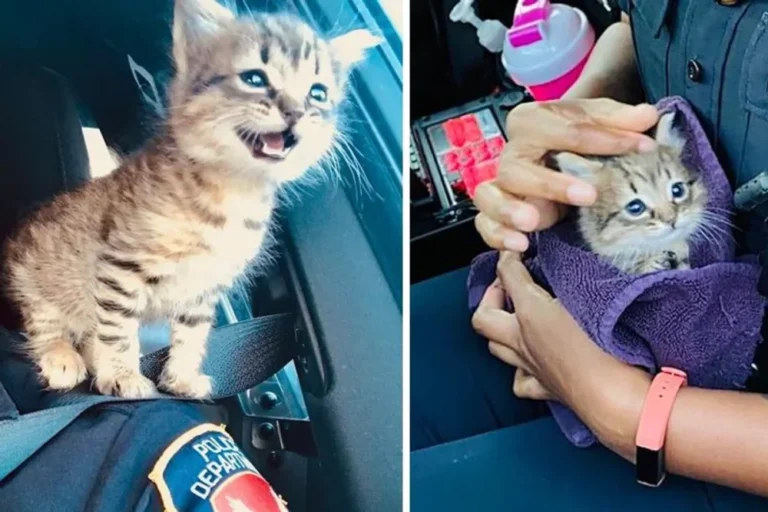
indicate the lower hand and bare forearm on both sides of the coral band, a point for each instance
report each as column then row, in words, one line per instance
column 556, row 360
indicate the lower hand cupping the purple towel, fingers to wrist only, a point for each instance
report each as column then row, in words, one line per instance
column 555, row 358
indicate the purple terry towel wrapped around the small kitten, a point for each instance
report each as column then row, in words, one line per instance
column 705, row 320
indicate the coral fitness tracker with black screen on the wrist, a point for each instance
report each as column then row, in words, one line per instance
column 653, row 425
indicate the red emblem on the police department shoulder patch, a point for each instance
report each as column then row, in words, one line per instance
column 244, row 492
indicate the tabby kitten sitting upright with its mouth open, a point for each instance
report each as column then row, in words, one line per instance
column 253, row 105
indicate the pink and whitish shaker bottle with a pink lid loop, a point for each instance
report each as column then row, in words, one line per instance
column 547, row 47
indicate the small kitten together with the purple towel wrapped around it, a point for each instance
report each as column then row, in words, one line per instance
column 638, row 303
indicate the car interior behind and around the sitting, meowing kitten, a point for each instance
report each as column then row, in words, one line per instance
column 311, row 428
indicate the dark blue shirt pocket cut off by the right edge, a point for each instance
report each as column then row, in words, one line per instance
column 753, row 90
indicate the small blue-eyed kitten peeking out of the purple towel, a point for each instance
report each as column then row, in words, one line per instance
column 649, row 205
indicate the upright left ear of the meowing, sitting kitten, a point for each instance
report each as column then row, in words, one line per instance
column 193, row 22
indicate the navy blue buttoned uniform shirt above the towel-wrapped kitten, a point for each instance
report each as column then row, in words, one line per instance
column 715, row 55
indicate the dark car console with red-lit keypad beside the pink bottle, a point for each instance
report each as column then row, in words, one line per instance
column 456, row 85
